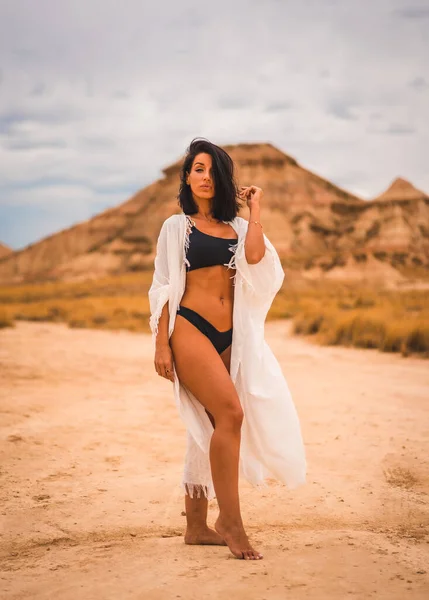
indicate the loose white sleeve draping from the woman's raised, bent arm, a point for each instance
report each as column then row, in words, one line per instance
column 264, row 278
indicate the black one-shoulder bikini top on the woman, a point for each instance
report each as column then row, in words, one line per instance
column 207, row 250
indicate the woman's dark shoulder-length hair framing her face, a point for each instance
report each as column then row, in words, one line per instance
column 225, row 203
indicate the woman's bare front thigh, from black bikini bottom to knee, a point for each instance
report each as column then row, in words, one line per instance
column 202, row 370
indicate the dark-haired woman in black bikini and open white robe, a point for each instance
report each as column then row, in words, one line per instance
column 208, row 333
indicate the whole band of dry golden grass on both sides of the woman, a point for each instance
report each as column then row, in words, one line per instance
column 392, row 321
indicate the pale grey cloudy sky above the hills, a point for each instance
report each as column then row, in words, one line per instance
column 97, row 96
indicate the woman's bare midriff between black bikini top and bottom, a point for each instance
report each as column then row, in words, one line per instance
column 210, row 292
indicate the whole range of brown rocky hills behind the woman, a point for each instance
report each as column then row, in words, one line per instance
column 316, row 227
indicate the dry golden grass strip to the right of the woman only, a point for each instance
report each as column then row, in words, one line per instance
column 392, row 321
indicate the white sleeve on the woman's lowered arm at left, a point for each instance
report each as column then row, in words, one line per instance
column 160, row 288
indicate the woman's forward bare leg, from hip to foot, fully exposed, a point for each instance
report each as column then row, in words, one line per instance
column 200, row 368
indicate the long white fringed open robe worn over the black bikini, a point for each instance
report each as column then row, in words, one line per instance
column 271, row 441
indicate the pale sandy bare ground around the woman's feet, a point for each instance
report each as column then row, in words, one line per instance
column 91, row 457
